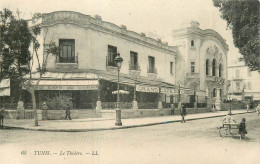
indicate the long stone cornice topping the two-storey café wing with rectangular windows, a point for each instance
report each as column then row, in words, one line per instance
column 86, row 21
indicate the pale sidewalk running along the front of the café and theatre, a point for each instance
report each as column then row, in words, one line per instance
column 96, row 124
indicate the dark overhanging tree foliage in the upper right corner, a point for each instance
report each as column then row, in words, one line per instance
column 242, row 18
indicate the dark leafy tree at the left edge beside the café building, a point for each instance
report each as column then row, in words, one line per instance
column 14, row 48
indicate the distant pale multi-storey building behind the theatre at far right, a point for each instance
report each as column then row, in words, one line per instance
column 244, row 84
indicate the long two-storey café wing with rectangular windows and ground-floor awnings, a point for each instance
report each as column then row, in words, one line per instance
column 85, row 69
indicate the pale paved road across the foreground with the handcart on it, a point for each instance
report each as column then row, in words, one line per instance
column 192, row 142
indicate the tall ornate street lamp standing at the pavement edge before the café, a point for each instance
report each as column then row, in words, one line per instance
column 118, row 60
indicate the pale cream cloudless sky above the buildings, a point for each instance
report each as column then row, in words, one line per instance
column 156, row 16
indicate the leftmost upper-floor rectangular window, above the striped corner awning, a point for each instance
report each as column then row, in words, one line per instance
column 67, row 54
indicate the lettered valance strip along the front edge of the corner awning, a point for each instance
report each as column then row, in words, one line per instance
column 61, row 87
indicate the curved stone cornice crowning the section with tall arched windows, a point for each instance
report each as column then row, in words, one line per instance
column 202, row 33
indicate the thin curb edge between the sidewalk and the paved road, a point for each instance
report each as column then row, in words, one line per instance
column 115, row 128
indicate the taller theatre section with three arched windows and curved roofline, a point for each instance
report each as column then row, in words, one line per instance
column 202, row 57
